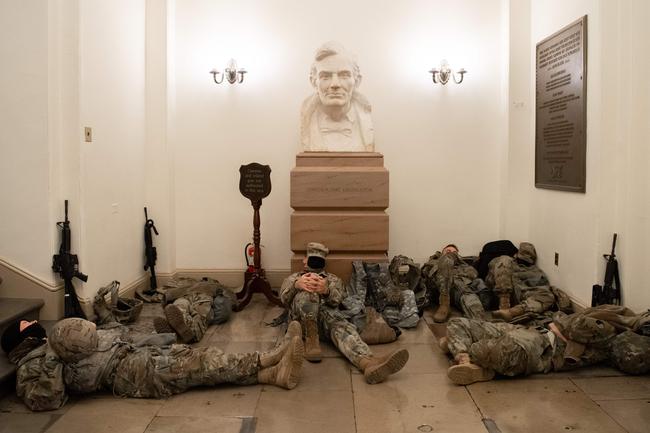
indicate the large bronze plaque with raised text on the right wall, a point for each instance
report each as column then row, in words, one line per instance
column 561, row 109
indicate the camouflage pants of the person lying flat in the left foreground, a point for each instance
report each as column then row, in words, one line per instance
column 154, row 372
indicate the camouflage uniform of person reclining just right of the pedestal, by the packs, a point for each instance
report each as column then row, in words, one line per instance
column 449, row 274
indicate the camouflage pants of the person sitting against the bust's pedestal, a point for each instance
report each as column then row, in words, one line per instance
column 331, row 323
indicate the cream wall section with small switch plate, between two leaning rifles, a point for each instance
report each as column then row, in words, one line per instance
column 112, row 102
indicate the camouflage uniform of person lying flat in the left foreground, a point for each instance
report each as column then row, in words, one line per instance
column 129, row 367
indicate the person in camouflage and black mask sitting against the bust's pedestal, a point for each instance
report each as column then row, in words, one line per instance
column 313, row 297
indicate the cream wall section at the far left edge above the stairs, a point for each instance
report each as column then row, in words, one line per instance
column 25, row 231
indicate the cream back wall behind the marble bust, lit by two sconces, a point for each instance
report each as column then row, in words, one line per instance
column 442, row 145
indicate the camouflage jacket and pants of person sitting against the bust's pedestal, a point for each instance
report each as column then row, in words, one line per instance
column 303, row 305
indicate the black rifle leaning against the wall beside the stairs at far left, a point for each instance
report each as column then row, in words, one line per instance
column 67, row 265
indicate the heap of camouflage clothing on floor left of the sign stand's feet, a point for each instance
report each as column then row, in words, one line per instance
column 201, row 303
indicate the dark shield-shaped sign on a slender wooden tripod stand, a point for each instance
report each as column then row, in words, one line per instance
column 255, row 184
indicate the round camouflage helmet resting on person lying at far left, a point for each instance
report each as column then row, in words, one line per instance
column 73, row 339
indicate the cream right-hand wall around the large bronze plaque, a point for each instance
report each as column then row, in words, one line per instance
column 579, row 226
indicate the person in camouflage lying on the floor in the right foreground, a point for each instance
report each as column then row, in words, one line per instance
column 600, row 334
